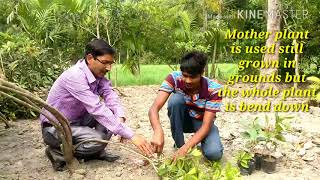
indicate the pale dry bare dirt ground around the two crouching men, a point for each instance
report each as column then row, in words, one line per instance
column 22, row 150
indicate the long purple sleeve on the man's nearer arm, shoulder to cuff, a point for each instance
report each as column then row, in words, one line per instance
column 80, row 90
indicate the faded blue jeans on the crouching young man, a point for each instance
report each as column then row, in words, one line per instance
column 181, row 122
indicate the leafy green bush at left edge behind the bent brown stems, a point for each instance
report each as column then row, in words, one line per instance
column 26, row 63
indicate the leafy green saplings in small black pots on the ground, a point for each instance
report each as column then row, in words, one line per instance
column 261, row 132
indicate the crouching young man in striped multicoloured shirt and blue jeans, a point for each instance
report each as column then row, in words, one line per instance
column 192, row 107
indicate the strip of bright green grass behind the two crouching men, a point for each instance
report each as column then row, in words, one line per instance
column 155, row 74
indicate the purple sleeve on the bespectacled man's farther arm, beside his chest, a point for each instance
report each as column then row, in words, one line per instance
column 110, row 97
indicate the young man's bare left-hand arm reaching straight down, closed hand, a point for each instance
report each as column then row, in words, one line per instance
column 158, row 136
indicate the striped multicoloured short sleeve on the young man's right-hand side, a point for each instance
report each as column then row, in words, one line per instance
column 214, row 102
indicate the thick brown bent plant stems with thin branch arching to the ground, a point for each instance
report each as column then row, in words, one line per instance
column 60, row 122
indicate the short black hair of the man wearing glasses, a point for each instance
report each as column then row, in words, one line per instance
column 98, row 47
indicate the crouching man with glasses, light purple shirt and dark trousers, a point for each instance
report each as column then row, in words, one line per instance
column 85, row 97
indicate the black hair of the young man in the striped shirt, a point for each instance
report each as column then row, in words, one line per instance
column 193, row 63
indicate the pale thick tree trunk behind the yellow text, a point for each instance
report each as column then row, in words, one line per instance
column 273, row 26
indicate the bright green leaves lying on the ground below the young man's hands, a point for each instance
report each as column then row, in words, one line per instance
column 192, row 167
